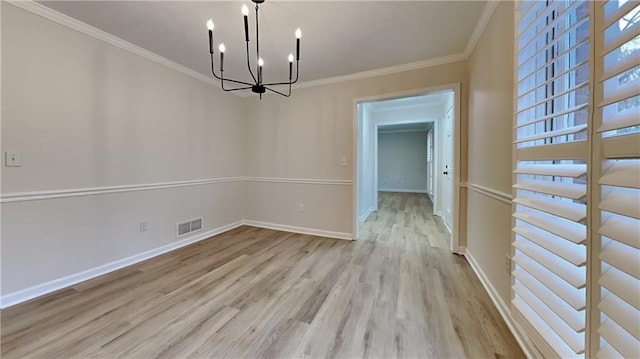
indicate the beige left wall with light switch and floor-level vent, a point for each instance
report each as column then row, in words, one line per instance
column 86, row 114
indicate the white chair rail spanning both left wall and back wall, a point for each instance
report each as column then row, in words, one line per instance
column 92, row 191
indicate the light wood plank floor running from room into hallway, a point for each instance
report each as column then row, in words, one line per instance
column 397, row 292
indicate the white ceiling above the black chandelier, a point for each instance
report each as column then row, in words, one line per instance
column 338, row 37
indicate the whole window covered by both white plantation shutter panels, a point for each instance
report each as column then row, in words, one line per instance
column 577, row 177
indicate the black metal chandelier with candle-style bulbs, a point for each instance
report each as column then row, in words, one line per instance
column 258, row 86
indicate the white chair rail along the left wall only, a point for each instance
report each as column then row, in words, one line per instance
column 91, row 191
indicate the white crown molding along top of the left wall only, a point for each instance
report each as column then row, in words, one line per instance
column 75, row 24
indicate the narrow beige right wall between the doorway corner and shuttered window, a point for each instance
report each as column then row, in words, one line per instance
column 489, row 130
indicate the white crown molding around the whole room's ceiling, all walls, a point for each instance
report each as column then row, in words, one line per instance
column 75, row 24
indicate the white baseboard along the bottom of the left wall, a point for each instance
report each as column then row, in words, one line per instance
column 60, row 283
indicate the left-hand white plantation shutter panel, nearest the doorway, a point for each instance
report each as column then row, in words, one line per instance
column 550, row 185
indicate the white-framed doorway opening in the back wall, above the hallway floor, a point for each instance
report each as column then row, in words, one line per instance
column 431, row 114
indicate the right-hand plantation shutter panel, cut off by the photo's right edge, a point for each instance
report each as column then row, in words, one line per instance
column 618, row 164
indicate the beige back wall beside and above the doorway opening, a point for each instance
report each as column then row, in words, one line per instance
column 306, row 136
